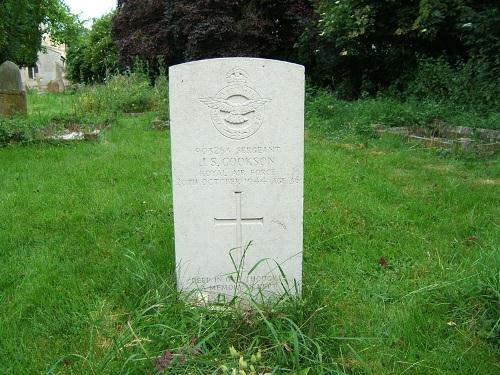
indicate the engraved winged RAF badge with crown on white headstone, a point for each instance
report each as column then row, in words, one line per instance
column 237, row 111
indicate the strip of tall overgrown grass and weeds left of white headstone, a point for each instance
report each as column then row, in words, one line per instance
column 87, row 107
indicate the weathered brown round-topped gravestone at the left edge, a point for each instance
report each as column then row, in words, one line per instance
column 12, row 94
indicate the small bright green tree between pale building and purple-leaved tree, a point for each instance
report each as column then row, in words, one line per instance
column 95, row 56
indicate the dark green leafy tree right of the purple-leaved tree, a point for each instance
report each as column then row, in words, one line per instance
column 364, row 45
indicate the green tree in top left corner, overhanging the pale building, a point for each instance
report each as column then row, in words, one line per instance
column 23, row 23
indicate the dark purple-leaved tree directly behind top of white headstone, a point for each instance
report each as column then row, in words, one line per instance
column 183, row 30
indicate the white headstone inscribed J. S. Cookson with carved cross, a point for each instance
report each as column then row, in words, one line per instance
column 237, row 131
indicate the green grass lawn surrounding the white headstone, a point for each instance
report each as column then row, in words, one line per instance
column 87, row 281
